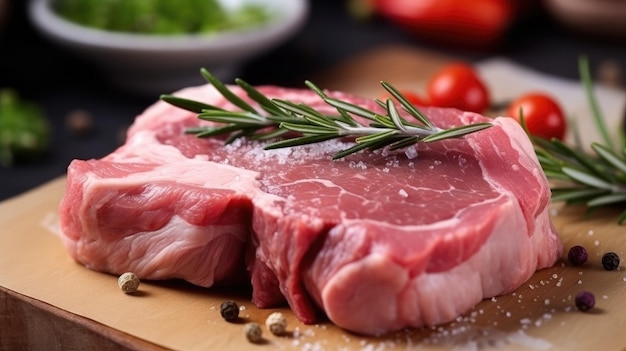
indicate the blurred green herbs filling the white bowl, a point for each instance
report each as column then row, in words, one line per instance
column 167, row 17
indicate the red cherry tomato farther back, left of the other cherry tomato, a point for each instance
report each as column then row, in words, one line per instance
column 458, row 85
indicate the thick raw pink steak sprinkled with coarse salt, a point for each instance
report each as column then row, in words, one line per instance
column 376, row 242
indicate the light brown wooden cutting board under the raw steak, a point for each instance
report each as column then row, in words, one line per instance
column 40, row 286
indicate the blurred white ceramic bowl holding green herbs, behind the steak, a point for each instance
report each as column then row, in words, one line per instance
column 152, row 64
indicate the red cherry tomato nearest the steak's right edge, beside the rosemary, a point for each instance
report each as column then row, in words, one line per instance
column 542, row 114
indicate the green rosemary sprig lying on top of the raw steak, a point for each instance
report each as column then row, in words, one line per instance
column 286, row 124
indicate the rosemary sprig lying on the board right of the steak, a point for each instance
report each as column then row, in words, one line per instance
column 596, row 180
